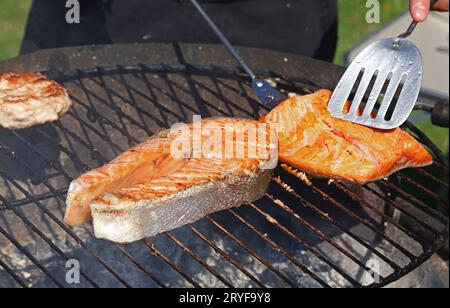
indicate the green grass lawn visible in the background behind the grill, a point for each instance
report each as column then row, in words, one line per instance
column 352, row 29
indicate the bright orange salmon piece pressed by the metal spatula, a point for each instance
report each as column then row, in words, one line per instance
column 318, row 144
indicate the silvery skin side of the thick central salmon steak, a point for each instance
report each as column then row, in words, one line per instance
column 134, row 220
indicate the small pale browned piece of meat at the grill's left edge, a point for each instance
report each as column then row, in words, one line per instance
column 30, row 99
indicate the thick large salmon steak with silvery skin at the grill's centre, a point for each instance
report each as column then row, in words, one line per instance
column 148, row 190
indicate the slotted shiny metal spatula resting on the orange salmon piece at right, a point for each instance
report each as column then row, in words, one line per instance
column 389, row 73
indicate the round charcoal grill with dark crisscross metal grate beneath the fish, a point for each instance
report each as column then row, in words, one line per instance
column 302, row 233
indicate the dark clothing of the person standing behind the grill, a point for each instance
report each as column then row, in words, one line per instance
column 305, row 27
